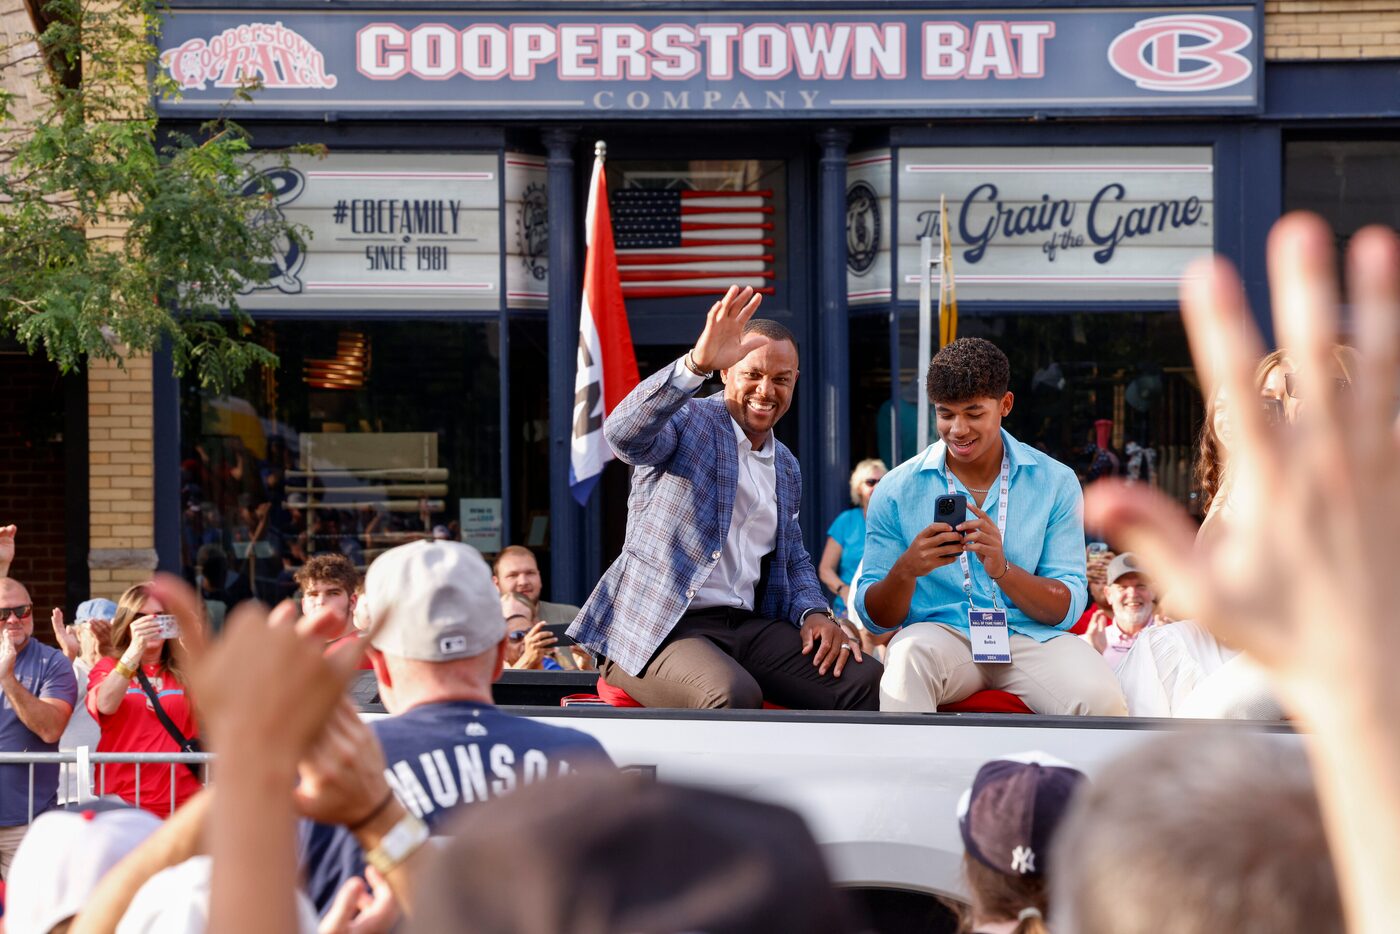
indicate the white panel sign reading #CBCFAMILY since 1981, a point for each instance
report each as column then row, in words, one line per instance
column 388, row 230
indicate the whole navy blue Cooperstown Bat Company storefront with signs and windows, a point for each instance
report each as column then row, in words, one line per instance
column 429, row 330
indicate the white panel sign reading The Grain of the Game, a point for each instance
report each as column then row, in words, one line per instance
column 1072, row 223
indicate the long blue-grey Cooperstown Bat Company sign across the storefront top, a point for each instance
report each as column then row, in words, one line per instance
column 1198, row 55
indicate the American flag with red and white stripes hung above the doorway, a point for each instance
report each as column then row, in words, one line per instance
column 688, row 243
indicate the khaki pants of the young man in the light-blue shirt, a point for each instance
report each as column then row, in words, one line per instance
column 930, row 664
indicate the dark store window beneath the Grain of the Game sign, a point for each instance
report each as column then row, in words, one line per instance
column 1107, row 394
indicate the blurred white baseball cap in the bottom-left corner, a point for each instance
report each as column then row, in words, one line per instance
column 62, row 859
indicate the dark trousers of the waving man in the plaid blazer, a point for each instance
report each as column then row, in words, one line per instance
column 724, row 657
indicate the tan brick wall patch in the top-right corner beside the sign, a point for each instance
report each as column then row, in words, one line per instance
column 1342, row 30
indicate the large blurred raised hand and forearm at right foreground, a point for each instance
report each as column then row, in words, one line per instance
column 1305, row 579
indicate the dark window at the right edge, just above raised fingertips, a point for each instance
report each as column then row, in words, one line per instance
column 1350, row 183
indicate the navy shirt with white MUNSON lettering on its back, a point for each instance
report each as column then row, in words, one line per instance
column 444, row 757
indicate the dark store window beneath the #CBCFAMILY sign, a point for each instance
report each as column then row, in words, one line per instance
column 367, row 435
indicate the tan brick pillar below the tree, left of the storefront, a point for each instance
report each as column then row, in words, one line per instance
column 122, row 543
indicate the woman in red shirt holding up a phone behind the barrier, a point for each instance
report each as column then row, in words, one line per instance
column 141, row 704
